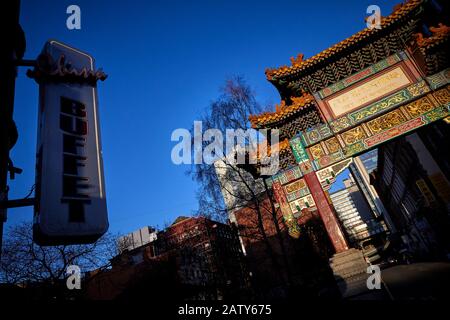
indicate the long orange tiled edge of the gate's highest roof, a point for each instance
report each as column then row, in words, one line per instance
column 300, row 64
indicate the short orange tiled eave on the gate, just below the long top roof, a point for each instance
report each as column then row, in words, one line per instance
column 282, row 111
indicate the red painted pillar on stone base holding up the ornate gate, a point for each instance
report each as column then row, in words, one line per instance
column 326, row 213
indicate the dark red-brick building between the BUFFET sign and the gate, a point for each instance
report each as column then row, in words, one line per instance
column 194, row 258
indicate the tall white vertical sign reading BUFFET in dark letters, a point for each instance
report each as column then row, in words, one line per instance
column 70, row 188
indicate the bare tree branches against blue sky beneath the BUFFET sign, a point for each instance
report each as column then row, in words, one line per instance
column 23, row 261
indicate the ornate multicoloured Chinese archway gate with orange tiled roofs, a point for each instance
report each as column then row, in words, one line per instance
column 366, row 90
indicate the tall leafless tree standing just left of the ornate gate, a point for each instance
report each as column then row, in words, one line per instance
column 231, row 110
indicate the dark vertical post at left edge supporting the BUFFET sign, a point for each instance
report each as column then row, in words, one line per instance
column 12, row 48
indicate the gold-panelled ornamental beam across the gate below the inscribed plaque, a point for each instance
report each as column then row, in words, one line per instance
column 325, row 152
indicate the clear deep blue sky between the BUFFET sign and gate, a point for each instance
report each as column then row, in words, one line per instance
column 166, row 60
